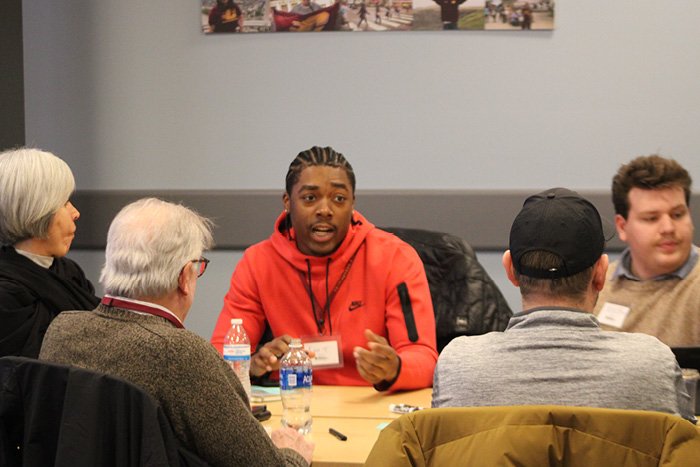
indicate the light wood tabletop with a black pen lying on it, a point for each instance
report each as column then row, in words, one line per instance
column 358, row 412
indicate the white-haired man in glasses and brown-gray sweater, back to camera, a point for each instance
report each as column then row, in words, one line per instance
column 153, row 261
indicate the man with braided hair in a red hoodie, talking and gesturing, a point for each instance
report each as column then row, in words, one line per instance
column 354, row 294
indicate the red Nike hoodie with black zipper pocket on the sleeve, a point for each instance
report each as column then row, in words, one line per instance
column 270, row 284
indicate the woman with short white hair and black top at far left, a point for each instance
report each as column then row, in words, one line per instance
column 37, row 226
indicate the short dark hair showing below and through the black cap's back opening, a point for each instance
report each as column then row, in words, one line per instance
column 573, row 287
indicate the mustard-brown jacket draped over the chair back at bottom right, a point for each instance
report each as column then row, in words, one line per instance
column 537, row 436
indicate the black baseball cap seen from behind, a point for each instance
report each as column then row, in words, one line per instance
column 563, row 223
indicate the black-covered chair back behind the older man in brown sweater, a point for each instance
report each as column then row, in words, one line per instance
column 55, row 415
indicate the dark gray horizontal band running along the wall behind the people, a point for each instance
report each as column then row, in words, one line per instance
column 244, row 217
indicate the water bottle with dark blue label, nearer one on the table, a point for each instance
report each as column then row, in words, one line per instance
column 295, row 388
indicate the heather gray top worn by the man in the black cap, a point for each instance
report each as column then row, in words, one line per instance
column 560, row 356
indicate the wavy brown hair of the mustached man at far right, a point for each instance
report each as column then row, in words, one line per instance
column 648, row 173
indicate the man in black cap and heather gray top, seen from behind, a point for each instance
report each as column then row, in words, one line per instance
column 554, row 351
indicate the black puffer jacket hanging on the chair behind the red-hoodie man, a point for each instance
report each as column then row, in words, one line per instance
column 466, row 300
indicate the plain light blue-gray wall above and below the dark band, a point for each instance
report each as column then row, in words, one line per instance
column 133, row 96
